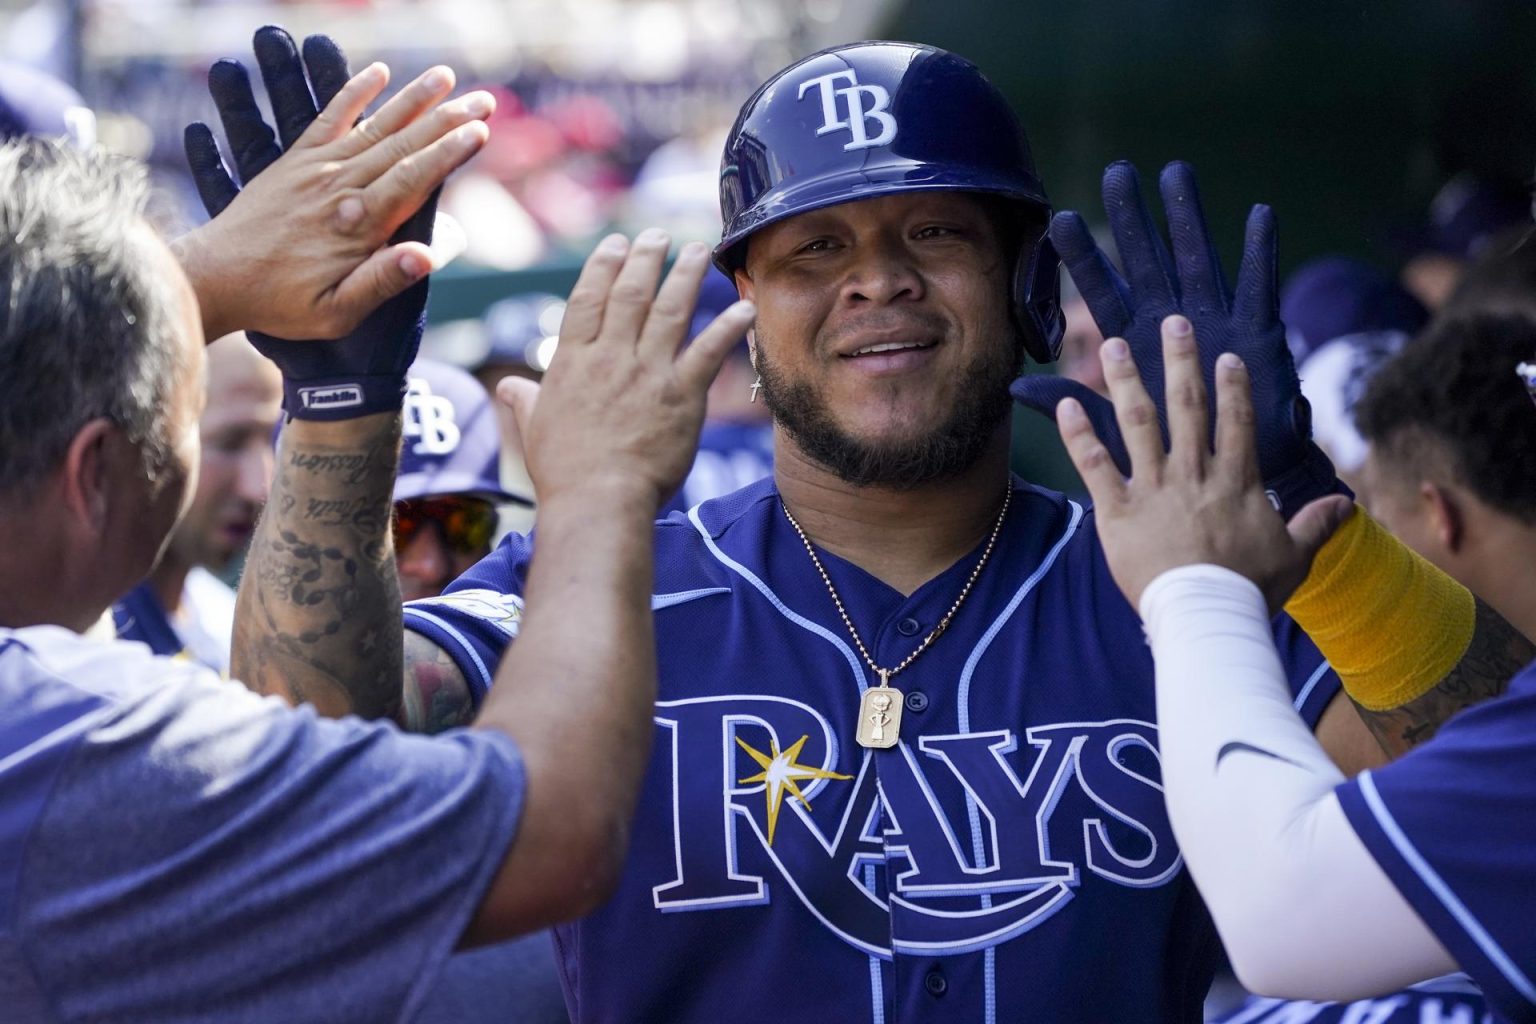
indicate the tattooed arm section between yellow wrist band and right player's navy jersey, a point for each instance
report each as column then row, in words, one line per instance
column 1497, row 653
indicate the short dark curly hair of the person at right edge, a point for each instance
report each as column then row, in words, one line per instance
column 1457, row 386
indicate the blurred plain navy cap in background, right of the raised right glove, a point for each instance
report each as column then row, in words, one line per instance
column 1337, row 296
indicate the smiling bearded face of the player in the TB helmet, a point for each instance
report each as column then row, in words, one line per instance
column 942, row 401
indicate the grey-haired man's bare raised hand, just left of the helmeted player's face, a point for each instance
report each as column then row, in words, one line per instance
column 623, row 403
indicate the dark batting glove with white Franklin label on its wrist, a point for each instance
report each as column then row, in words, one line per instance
column 322, row 380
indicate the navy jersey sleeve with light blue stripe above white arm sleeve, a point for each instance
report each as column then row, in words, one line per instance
column 1454, row 825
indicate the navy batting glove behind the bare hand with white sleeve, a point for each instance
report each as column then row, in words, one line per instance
column 1188, row 280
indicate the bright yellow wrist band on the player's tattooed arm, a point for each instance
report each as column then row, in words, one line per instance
column 1389, row 623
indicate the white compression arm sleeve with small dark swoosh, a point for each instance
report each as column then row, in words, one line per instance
column 1303, row 908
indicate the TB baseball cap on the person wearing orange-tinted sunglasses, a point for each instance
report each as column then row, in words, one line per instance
column 451, row 443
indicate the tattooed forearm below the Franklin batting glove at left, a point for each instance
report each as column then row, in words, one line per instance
column 319, row 610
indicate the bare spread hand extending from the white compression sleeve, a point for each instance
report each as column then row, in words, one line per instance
column 1190, row 503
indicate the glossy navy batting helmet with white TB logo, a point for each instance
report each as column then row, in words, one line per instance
column 878, row 119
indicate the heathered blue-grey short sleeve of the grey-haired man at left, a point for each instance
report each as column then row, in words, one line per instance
column 210, row 854
